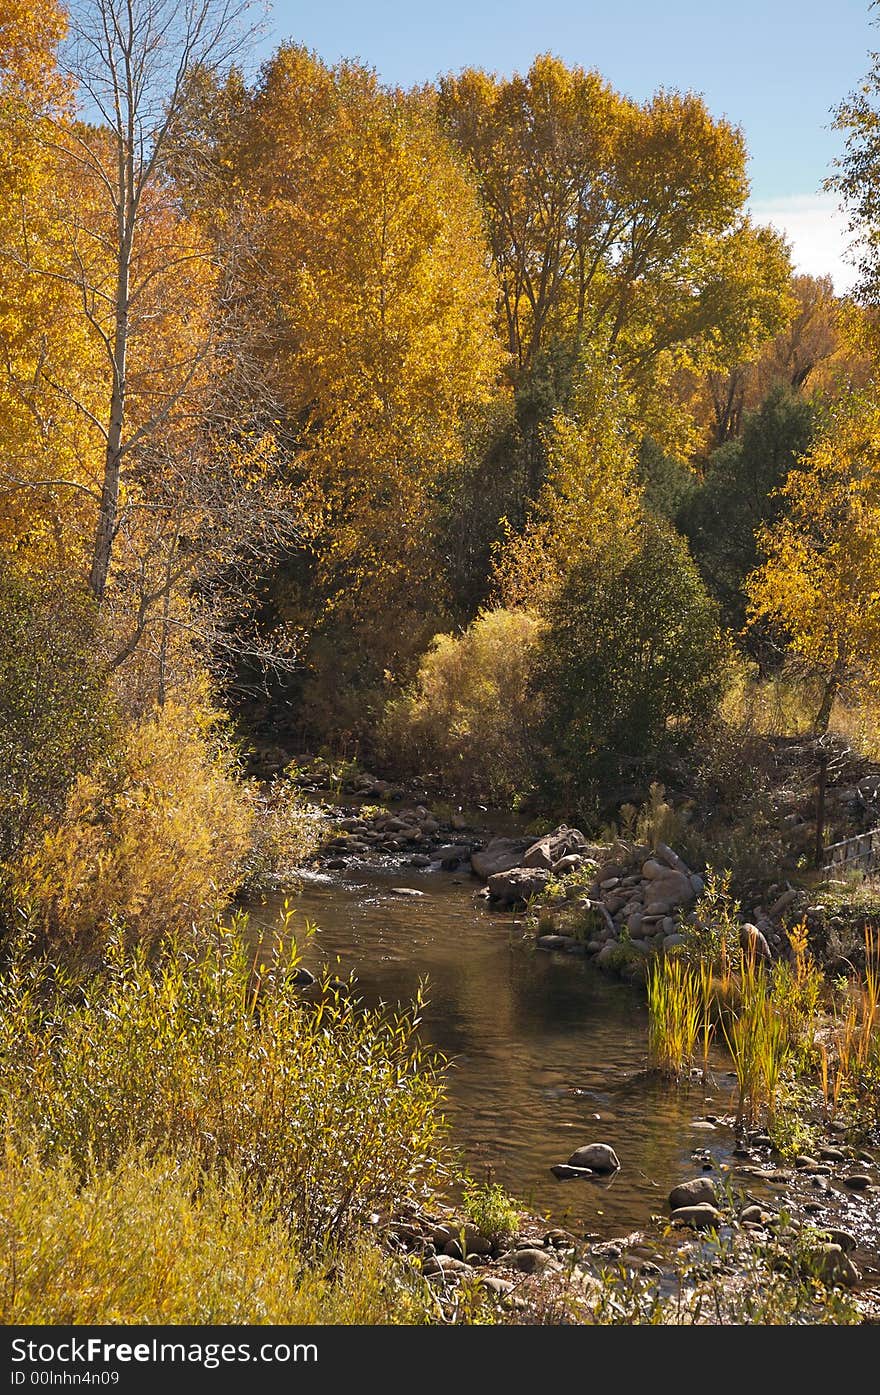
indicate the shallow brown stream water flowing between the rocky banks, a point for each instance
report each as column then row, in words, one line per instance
column 546, row 1053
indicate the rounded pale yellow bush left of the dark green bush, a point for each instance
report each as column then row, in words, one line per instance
column 471, row 714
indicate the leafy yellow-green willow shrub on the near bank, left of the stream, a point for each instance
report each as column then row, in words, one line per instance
column 326, row 1113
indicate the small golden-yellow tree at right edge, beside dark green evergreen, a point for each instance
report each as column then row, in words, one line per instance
column 821, row 582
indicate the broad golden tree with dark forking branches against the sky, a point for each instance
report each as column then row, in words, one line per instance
column 614, row 224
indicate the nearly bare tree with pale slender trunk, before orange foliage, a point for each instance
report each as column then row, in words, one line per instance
column 185, row 496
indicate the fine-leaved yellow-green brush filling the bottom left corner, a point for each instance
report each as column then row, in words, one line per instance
column 155, row 1242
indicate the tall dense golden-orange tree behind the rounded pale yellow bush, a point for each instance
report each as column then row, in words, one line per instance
column 377, row 298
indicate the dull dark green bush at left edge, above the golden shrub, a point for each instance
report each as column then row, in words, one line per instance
column 55, row 712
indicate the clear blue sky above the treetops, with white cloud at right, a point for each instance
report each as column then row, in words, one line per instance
column 775, row 68
